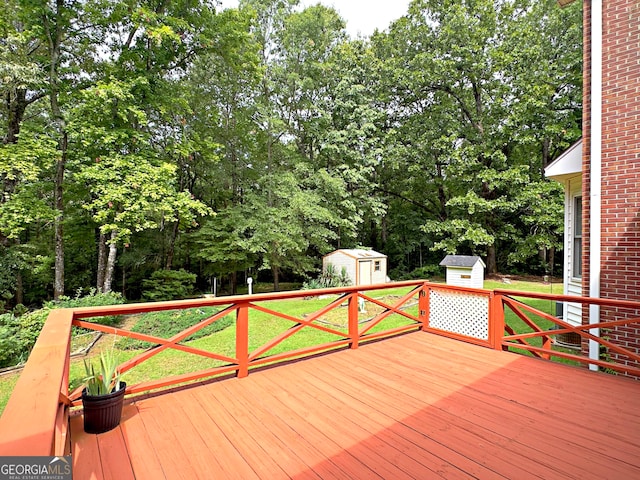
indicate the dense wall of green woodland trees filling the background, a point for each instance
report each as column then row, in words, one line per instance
column 428, row 137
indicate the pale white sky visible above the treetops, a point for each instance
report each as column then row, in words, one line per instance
column 362, row 16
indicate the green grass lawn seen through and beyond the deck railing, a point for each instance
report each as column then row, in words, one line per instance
column 262, row 328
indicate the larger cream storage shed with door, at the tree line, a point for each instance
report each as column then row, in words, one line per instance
column 364, row 267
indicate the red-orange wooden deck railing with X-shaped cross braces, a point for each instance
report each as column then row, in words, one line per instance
column 35, row 421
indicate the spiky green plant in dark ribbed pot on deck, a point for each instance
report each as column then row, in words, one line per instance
column 103, row 395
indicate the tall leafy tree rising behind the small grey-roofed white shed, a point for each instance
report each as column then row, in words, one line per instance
column 462, row 79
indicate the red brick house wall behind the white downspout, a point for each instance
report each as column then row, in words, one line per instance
column 620, row 267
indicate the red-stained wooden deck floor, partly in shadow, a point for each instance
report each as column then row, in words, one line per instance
column 417, row 406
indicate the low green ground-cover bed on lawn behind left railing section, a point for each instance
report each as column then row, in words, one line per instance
column 168, row 323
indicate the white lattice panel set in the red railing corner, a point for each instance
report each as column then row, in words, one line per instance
column 462, row 313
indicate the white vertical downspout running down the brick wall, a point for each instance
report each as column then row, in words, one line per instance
column 595, row 216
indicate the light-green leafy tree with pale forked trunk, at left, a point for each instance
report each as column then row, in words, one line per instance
column 130, row 189
